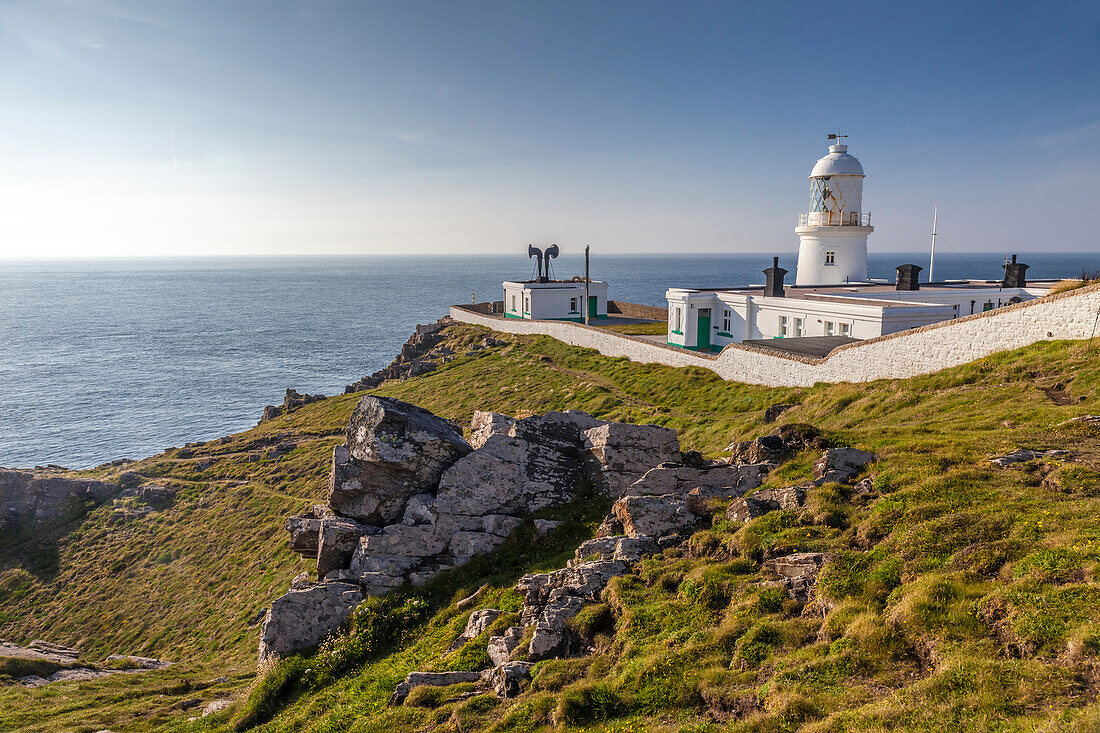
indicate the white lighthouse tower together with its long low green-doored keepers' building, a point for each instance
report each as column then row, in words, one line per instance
column 832, row 296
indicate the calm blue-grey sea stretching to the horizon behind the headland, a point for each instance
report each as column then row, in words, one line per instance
column 112, row 359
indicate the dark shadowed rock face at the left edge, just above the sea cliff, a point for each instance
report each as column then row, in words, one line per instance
column 35, row 499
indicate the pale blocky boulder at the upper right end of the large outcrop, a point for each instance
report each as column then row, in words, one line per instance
column 620, row 454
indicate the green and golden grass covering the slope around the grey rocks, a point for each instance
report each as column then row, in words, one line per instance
column 962, row 595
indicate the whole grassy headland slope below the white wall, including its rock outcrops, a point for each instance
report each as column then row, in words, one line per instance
column 923, row 553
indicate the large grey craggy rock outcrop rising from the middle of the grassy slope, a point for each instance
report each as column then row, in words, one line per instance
column 410, row 498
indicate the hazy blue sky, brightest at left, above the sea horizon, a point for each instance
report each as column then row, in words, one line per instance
column 404, row 127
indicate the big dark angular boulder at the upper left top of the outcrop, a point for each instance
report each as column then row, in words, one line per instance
column 393, row 452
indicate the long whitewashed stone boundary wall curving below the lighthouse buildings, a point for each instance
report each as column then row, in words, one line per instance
column 1070, row 315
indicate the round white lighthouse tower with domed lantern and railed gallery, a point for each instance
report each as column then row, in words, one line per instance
column 833, row 247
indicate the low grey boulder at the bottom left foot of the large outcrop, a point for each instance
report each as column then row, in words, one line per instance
column 303, row 618
